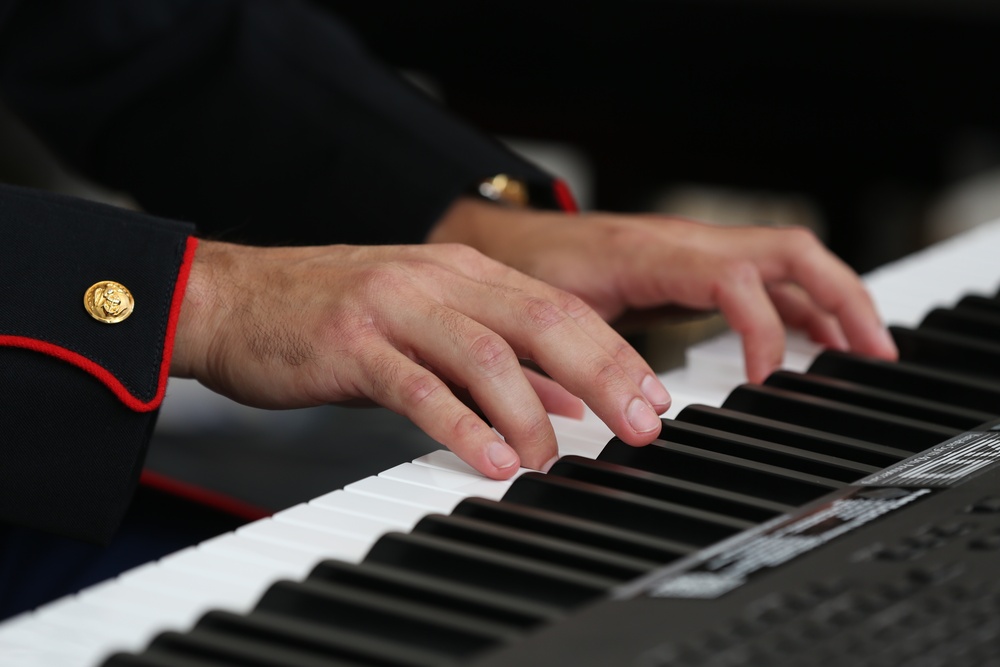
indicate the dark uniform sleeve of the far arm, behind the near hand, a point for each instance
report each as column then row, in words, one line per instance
column 262, row 120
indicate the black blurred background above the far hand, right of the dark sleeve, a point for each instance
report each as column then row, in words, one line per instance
column 868, row 108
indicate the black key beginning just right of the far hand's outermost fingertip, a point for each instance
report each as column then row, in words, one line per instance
column 938, row 349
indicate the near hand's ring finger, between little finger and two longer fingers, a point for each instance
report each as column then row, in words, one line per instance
column 477, row 358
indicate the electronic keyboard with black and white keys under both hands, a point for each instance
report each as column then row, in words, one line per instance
column 844, row 512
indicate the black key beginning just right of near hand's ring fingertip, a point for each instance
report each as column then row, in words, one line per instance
column 672, row 489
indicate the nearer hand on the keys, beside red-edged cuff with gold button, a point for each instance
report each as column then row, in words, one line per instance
column 402, row 326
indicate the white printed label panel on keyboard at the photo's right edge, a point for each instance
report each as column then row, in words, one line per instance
column 942, row 466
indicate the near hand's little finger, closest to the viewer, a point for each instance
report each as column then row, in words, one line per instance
column 400, row 384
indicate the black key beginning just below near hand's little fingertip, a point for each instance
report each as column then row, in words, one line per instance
column 626, row 510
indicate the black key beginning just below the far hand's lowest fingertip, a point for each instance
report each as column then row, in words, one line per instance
column 836, row 417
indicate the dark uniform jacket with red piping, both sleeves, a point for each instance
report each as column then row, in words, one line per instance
column 259, row 121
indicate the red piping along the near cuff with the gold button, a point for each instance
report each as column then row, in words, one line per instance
column 102, row 374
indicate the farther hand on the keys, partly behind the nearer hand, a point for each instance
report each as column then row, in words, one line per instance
column 760, row 278
